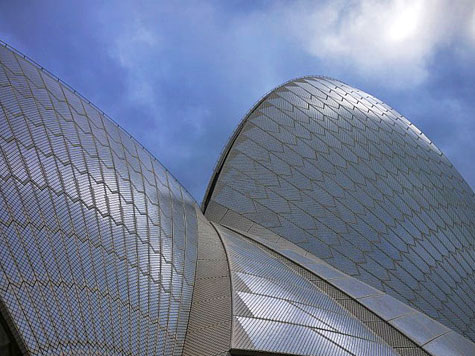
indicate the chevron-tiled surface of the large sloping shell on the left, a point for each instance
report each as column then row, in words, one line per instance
column 97, row 240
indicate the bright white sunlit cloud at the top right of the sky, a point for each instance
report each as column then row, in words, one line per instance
column 393, row 40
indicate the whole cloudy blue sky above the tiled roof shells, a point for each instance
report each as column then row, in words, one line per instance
column 180, row 75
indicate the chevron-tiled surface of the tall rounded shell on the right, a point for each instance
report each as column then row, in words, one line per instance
column 350, row 180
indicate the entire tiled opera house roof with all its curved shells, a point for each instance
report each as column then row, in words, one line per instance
column 331, row 226
